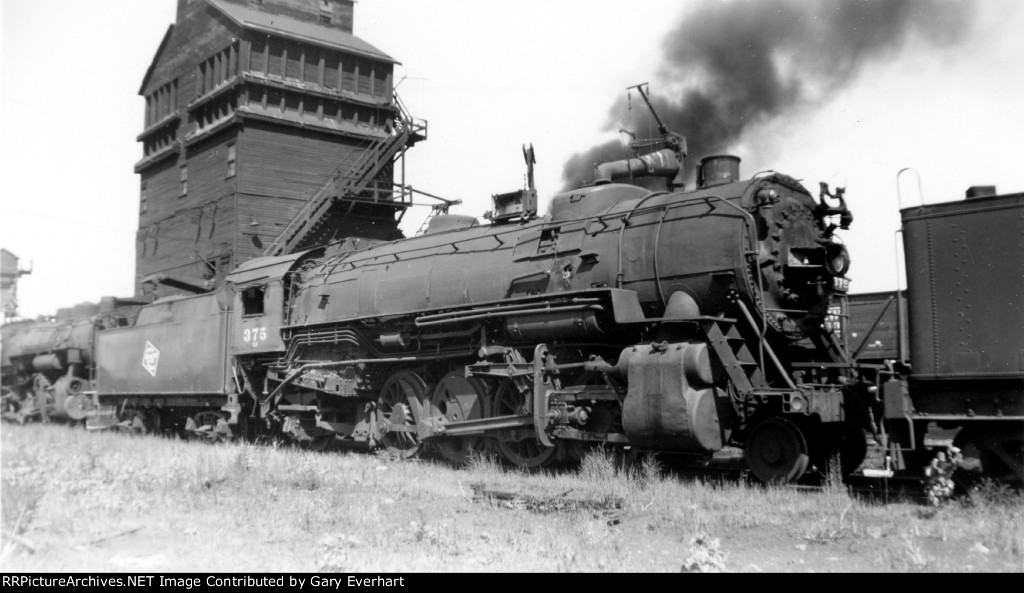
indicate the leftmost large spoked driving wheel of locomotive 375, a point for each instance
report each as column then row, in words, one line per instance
column 399, row 409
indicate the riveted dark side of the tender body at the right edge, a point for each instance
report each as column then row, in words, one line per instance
column 966, row 281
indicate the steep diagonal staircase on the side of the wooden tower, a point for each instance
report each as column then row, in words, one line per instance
column 356, row 181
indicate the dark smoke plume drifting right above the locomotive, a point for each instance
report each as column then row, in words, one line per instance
column 747, row 63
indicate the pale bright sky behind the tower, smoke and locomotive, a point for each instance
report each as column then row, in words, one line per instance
column 491, row 77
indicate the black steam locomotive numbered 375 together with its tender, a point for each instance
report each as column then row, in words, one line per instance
column 670, row 321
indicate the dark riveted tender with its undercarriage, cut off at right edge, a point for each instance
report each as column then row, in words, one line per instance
column 964, row 368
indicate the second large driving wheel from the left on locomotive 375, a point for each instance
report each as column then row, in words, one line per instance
column 457, row 399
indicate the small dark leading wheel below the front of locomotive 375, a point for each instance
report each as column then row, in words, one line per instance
column 777, row 452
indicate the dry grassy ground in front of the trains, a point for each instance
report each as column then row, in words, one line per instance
column 78, row 501
